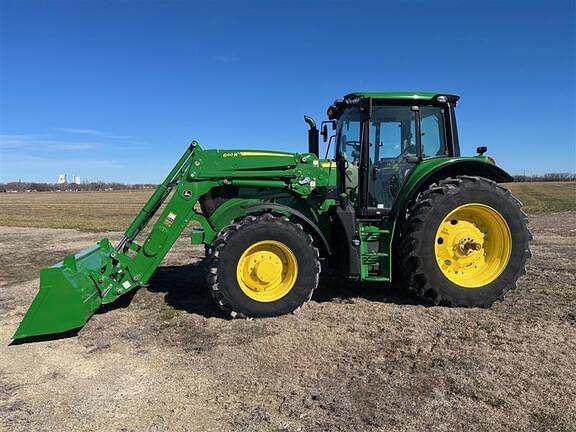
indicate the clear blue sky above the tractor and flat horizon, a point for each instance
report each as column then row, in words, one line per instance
column 115, row 90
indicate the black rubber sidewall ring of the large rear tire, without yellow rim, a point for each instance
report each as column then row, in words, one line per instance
column 513, row 216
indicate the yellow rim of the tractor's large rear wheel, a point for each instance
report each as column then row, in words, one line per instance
column 473, row 245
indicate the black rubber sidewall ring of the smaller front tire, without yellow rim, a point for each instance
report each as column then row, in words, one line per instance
column 295, row 240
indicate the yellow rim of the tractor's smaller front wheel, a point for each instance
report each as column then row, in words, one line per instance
column 267, row 271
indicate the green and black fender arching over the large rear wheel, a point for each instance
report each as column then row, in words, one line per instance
column 433, row 170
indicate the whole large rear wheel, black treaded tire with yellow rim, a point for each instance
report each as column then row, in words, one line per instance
column 464, row 242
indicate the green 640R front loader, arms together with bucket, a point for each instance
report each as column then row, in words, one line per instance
column 73, row 289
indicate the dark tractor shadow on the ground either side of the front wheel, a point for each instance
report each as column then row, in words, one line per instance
column 186, row 290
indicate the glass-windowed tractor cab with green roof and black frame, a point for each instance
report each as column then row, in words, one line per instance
column 380, row 137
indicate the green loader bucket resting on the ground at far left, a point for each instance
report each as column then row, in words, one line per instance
column 68, row 295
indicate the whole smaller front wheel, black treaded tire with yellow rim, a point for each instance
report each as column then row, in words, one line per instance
column 262, row 267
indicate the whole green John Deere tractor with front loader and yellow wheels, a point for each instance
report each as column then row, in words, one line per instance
column 392, row 193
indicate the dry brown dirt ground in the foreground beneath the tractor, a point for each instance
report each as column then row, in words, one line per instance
column 356, row 358
